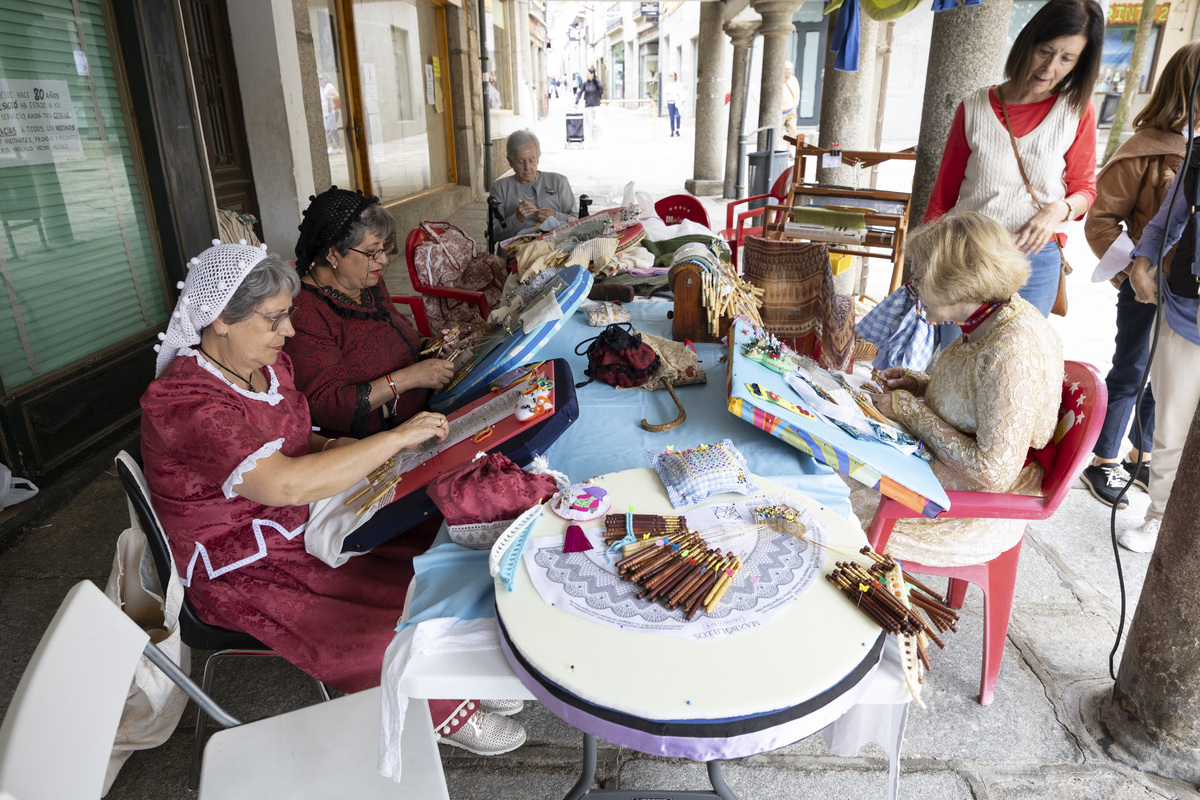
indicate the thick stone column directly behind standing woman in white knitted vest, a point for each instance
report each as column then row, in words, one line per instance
column 968, row 51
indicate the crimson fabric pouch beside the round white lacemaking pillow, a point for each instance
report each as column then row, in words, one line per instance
column 489, row 490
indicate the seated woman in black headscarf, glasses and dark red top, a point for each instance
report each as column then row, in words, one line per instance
column 357, row 358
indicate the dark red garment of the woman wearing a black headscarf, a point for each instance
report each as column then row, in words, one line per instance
column 340, row 348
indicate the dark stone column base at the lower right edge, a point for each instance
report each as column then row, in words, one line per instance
column 1155, row 712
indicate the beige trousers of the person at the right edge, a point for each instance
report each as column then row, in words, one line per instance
column 1175, row 376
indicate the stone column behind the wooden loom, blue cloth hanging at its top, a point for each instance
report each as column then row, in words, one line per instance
column 848, row 103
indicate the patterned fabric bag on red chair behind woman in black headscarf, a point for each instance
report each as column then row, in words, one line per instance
column 452, row 260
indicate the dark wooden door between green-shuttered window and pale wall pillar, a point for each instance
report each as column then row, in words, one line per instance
column 215, row 74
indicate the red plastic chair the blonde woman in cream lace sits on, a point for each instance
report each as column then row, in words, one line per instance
column 1084, row 401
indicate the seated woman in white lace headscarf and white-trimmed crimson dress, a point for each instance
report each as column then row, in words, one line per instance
column 233, row 464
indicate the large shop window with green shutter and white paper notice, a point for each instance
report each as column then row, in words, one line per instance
column 80, row 266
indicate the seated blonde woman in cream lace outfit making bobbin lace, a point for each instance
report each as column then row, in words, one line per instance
column 991, row 396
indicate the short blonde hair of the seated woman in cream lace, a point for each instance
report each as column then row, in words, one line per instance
column 967, row 257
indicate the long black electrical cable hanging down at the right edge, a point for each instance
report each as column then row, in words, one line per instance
column 1154, row 346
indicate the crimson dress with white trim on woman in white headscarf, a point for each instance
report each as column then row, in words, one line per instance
column 245, row 564
